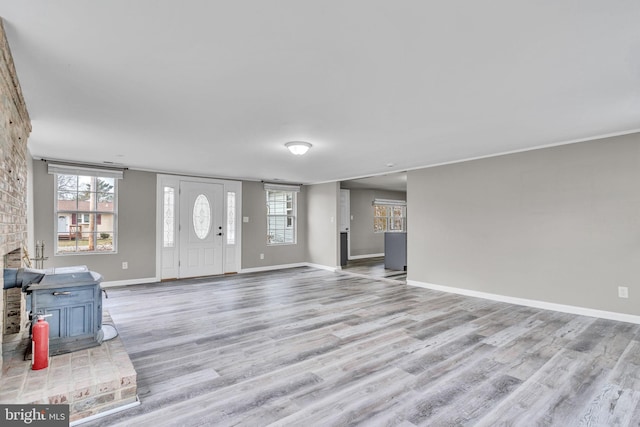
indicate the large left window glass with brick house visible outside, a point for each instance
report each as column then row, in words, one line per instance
column 86, row 212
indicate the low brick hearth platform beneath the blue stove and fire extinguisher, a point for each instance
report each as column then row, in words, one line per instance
column 90, row 381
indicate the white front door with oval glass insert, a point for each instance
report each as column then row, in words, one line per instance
column 201, row 229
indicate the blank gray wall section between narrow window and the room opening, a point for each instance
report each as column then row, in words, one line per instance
column 322, row 221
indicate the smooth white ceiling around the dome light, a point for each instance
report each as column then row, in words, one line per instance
column 216, row 88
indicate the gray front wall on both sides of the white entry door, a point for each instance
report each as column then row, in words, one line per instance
column 137, row 233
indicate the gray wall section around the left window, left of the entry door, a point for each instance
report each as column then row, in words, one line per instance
column 136, row 226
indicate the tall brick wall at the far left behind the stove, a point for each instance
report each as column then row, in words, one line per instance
column 15, row 128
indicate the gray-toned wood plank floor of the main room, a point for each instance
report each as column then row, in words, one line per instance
column 307, row 347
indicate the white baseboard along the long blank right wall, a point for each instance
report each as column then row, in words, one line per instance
column 583, row 311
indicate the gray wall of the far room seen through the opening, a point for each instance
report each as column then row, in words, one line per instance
column 363, row 240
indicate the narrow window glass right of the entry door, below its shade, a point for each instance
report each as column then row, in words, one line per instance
column 281, row 217
